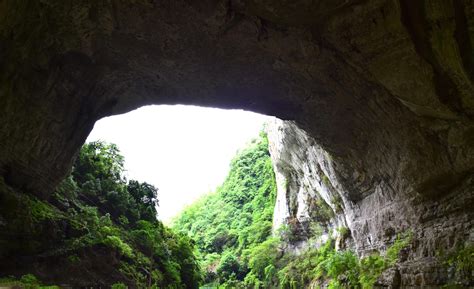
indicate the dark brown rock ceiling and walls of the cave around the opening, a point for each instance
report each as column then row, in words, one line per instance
column 384, row 88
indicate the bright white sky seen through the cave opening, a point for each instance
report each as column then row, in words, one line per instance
column 184, row 151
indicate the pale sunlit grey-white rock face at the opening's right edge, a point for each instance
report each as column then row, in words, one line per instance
column 305, row 194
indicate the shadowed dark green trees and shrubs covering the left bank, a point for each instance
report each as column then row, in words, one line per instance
column 101, row 230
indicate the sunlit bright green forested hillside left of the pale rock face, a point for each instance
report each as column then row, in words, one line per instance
column 235, row 219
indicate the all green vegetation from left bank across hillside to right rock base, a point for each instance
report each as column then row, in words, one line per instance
column 102, row 229
